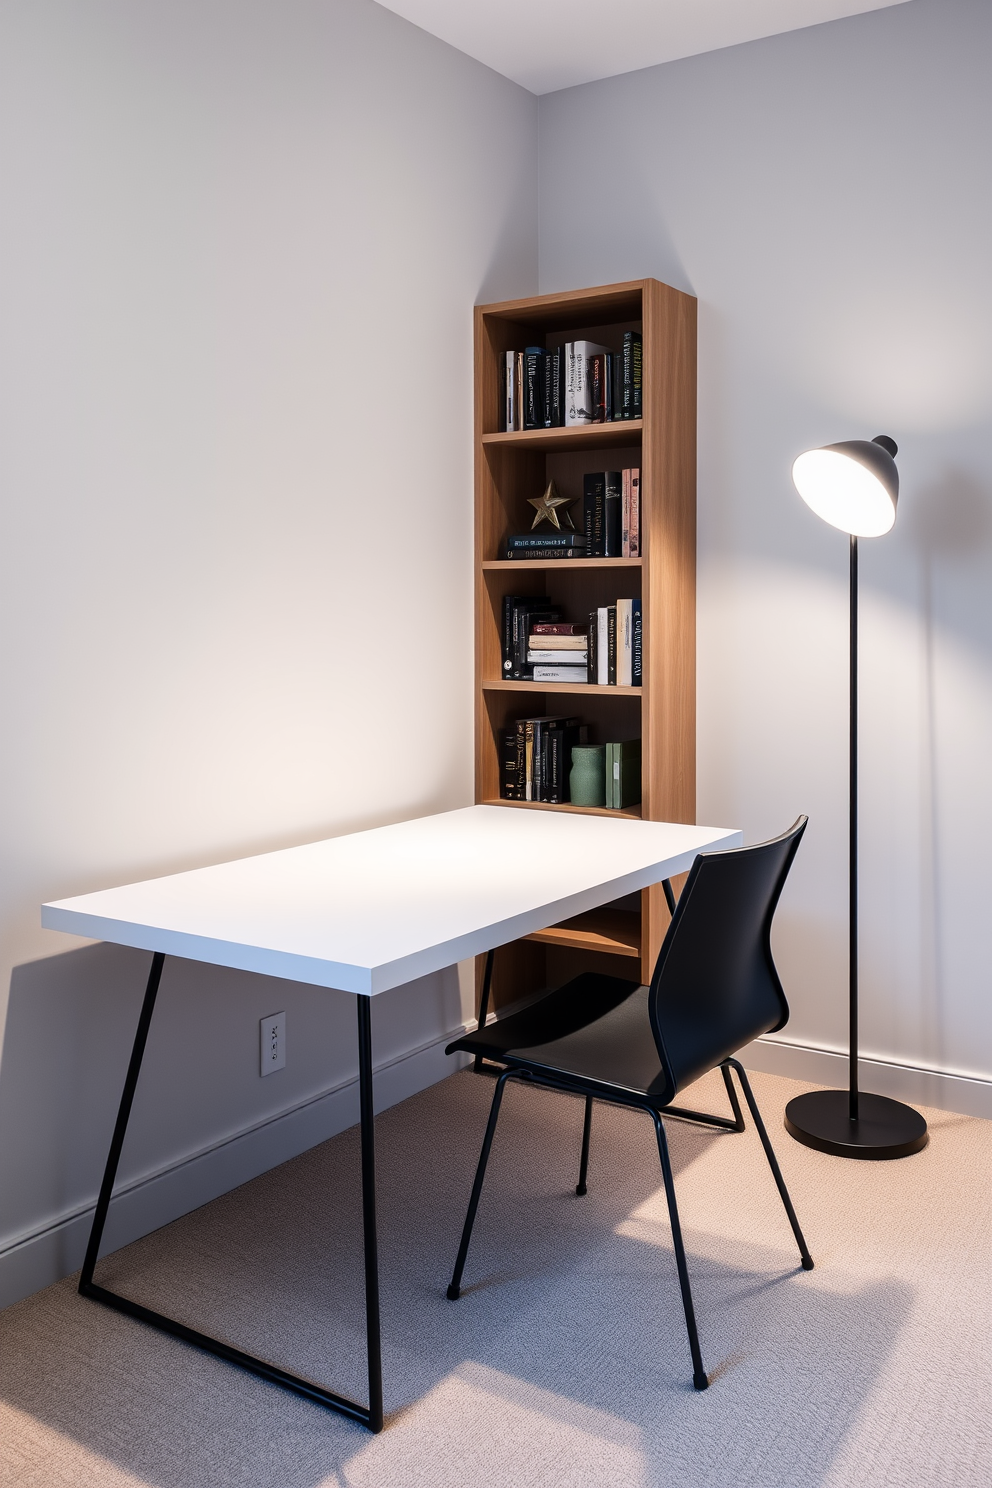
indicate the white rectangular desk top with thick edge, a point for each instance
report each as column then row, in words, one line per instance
column 374, row 910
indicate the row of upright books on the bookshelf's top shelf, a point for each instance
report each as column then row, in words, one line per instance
column 573, row 385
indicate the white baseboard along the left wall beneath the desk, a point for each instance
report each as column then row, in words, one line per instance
column 56, row 1249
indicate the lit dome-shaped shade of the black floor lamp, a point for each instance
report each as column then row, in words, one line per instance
column 853, row 486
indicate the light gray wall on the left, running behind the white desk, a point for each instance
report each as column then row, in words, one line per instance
column 240, row 246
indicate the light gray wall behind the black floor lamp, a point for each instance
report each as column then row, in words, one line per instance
column 826, row 196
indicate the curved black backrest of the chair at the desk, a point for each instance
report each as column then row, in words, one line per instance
column 716, row 987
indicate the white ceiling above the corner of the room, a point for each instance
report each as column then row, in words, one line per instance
column 557, row 44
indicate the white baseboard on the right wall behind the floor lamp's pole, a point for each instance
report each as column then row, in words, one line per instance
column 947, row 1091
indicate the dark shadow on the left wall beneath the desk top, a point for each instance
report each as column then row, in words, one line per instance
column 69, row 1035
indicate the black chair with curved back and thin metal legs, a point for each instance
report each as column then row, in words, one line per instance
column 715, row 989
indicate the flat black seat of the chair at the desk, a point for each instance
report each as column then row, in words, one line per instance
column 594, row 1027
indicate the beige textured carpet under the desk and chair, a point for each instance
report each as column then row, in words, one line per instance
column 566, row 1361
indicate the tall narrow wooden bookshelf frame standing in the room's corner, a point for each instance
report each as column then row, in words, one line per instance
column 511, row 468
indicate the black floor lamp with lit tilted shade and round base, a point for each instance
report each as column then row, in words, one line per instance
column 854, row 487
